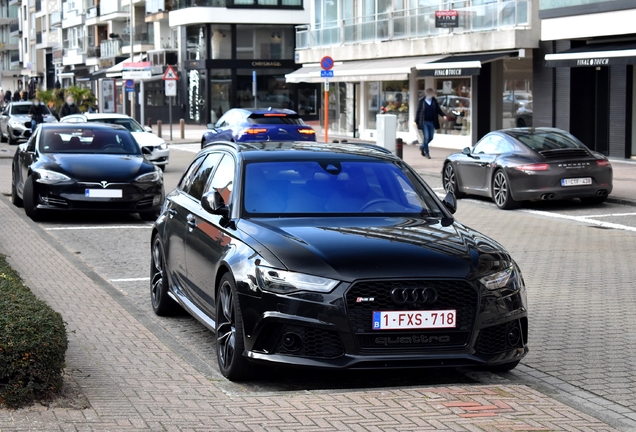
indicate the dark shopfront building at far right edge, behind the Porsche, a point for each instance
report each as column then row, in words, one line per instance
column 585, row 72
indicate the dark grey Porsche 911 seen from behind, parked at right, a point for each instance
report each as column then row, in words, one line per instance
column 515, row 165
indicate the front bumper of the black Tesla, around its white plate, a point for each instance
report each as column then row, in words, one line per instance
column 136, row 197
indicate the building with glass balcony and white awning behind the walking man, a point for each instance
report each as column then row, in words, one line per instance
column 387, row 52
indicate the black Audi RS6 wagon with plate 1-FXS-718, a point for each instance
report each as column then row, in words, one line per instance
column 332, row 256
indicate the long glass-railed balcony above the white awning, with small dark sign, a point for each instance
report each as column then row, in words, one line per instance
column 415, row 23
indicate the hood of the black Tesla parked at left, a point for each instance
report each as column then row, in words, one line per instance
column 96, row 168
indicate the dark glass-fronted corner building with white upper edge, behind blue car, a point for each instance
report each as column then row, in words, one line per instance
column 229, row 48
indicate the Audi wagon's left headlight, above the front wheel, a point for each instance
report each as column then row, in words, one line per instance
column 285, row 282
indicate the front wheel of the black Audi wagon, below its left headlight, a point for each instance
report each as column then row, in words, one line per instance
column 229, row 333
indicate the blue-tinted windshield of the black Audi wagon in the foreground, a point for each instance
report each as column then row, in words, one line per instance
column 334, row 187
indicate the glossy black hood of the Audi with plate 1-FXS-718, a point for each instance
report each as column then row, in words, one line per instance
column 347, row 249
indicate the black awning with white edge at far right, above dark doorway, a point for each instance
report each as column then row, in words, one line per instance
column 594, row 55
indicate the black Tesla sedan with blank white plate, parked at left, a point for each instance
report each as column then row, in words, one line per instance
column 89, row 167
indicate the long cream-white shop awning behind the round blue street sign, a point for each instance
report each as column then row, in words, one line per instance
column 397, row 69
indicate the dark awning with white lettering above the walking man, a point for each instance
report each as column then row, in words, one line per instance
column 461, row 65
